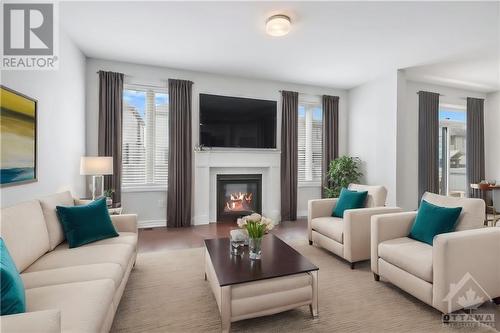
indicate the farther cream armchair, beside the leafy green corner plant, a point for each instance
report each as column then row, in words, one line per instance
column 347, row 237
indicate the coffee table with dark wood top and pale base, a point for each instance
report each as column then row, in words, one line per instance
column 281, row 280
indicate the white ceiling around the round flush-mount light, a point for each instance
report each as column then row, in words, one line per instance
column 334, row 44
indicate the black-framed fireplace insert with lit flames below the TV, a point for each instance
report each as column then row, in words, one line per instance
column 238, row 195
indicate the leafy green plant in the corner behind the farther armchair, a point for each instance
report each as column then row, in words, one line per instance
column 342, row 171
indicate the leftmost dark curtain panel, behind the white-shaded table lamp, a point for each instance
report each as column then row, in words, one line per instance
column 110, row 127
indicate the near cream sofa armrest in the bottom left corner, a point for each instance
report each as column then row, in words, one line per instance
column 47, row 321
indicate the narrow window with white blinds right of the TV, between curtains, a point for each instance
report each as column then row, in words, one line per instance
column 310, row 142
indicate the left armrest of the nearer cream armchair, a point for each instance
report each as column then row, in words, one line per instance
column 386, row 227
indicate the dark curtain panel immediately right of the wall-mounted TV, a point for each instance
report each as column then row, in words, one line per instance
column 289, row 110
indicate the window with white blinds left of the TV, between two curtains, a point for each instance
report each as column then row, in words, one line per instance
column 145, row 137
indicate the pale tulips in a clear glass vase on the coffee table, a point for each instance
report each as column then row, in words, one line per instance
column 256, row 226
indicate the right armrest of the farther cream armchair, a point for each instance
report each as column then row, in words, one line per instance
column 357, row 231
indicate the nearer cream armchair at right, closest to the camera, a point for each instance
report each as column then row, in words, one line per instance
column 427, row 272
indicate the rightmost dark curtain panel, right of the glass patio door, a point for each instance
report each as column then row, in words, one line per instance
column 475, row 144
